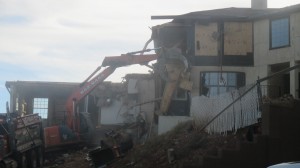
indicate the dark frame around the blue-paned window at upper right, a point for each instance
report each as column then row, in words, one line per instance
column 270, row 33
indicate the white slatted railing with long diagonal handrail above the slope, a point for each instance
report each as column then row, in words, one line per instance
column 235, row 109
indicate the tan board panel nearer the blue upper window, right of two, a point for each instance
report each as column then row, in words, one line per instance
column 237, row 38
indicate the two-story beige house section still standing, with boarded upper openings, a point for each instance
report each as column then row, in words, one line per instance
column 233, row 47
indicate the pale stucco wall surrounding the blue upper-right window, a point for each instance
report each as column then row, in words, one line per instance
column 264, row 57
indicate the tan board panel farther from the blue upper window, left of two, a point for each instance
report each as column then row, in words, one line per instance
column 206, row 40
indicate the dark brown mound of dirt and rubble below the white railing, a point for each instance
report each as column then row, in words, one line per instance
column 183, row 147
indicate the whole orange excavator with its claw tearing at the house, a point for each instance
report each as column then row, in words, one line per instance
column 78, row 128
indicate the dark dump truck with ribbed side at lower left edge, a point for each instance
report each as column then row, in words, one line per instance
column 21, row 140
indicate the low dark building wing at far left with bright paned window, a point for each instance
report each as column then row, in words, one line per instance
column 48, row 99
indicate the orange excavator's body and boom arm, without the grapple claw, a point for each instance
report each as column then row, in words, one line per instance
column 78, row 126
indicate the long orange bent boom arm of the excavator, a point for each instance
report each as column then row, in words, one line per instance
column 111, row 63
